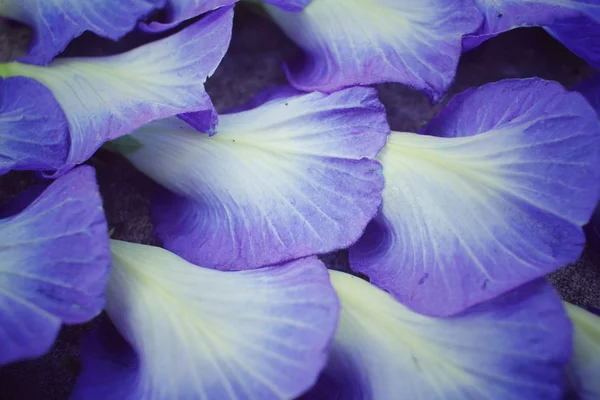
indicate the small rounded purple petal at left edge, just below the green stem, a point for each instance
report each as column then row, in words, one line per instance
column 33, row 128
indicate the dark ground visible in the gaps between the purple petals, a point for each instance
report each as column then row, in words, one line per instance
column 252, row 64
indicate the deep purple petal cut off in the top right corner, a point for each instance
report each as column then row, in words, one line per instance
column 575, row 23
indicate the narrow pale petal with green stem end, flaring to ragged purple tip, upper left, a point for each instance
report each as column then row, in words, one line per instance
column 108, row 97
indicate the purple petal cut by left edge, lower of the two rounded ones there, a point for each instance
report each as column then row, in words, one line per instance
column 54, row 264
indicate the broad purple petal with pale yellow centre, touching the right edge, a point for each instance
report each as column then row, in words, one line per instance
column 497, row 200
